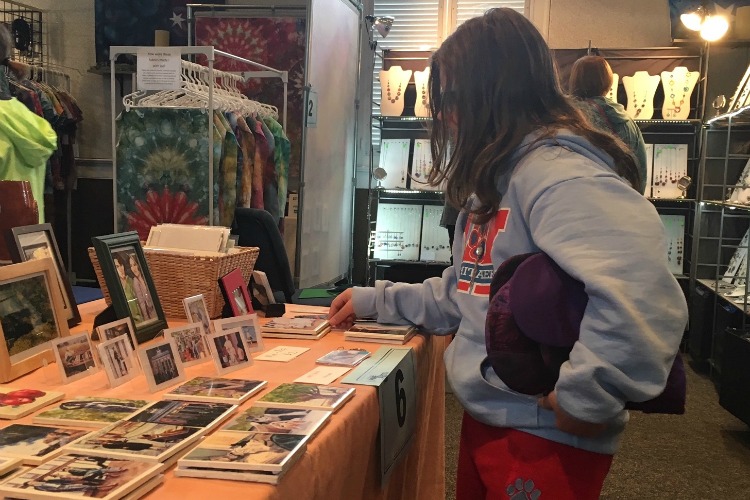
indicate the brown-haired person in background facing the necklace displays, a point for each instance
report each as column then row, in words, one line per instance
column 589, row 83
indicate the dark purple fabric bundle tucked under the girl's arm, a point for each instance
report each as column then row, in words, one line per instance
column 533, row 321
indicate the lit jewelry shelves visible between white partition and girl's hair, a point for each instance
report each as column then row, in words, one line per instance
column 405, row 239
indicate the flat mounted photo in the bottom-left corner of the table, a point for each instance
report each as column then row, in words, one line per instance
column 79, row 476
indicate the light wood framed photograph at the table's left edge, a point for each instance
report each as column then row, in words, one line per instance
column 31, row 314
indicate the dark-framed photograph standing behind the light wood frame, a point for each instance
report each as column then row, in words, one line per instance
column 38, row 242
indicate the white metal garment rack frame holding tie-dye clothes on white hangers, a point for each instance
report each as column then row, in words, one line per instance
column 210, row 53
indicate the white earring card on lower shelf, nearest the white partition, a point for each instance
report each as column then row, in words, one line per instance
column 397, row 231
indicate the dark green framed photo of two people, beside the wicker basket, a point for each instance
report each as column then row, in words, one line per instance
column 129, row 282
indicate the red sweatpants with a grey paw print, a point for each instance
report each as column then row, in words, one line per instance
column 499, row 463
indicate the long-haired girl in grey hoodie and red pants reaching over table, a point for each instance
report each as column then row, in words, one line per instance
column 535, row 176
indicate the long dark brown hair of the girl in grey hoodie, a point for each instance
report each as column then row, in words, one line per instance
column 499, row 83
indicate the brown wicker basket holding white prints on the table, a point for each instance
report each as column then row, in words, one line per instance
column 177, row 276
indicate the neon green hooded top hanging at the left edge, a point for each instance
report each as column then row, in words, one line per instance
column 26, row 142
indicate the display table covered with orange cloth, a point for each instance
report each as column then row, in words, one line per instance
column 341, row 462
